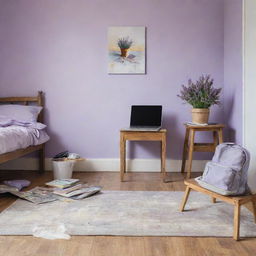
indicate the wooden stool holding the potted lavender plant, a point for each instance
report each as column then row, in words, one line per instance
column 190, row 146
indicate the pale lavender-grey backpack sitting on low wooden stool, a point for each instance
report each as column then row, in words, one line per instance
column 226, row 174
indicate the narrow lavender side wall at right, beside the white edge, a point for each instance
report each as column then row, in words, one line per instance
column 233, row 69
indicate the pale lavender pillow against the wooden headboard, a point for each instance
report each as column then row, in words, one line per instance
column 20, row 112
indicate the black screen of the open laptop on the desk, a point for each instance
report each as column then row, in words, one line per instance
column 146, row 115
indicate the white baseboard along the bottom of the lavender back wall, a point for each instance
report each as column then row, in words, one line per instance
column 106, row 164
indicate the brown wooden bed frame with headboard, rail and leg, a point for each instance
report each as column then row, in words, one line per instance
column 39, row 101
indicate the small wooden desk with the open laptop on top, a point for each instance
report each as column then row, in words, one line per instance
column 140, row 136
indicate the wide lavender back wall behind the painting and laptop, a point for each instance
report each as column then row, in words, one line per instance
column 60, row 47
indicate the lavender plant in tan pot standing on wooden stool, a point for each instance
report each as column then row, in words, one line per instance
column 201, row 95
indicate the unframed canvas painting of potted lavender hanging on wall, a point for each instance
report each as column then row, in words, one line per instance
column 126, row 50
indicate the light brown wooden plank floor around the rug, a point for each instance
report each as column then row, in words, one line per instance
column 118, row 246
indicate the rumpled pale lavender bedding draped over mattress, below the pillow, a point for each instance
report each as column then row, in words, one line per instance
column 17, row 137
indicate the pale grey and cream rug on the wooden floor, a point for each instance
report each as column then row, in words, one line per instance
column 127, row 213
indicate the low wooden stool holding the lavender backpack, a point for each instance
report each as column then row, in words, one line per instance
column 237, row 201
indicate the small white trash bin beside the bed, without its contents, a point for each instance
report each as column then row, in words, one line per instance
column 63, row 169
